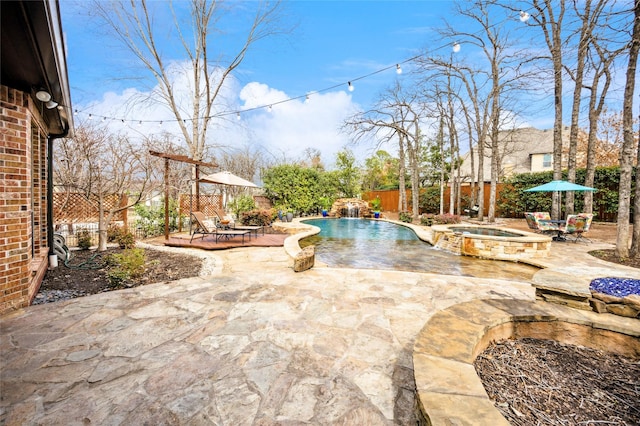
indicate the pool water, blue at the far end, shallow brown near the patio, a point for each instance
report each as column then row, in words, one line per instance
column 374, row 244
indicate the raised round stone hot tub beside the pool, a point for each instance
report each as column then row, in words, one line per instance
column 491, row 242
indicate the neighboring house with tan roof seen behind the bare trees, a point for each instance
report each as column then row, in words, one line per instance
column 517, row 146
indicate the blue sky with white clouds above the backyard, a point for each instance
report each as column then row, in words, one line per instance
column 333, row 42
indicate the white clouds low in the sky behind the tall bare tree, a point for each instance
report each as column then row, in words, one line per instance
column 284, row 132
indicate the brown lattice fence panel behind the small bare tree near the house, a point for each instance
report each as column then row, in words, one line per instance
column 74, row 208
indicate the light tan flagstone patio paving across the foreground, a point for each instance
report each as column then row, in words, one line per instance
column 251, row 343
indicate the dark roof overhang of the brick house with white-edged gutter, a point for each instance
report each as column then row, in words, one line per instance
column 33, row 57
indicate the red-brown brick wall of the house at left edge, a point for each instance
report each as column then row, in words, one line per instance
column 23, row 238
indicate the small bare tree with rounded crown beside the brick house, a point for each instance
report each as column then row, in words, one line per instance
column 99, row 165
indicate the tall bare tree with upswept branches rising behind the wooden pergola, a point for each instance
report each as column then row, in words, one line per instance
column 133, row 24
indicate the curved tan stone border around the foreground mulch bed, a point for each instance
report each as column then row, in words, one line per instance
column 448, row 390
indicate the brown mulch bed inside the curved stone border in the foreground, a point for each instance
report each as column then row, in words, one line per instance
column 543, row 382
